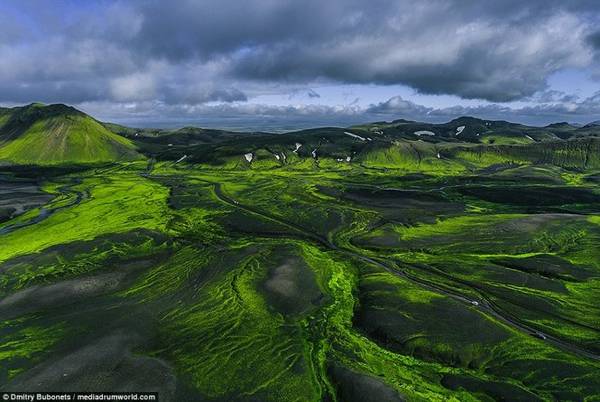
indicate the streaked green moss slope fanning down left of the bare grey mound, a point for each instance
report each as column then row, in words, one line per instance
column 229, row 330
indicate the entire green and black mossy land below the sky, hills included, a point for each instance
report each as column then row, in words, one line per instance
column 395, row 266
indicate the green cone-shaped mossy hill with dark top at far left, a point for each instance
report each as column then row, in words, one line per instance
column 58, row 134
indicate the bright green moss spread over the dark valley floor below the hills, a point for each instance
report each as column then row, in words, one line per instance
column 216, row 326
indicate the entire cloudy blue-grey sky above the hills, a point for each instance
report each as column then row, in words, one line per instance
column 283, row 64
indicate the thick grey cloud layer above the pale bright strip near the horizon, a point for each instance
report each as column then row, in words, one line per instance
column 191, row 52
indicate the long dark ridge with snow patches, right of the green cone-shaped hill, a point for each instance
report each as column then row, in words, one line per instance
column 462, row 144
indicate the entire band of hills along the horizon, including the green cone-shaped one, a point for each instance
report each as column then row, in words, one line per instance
column 59, row 134
